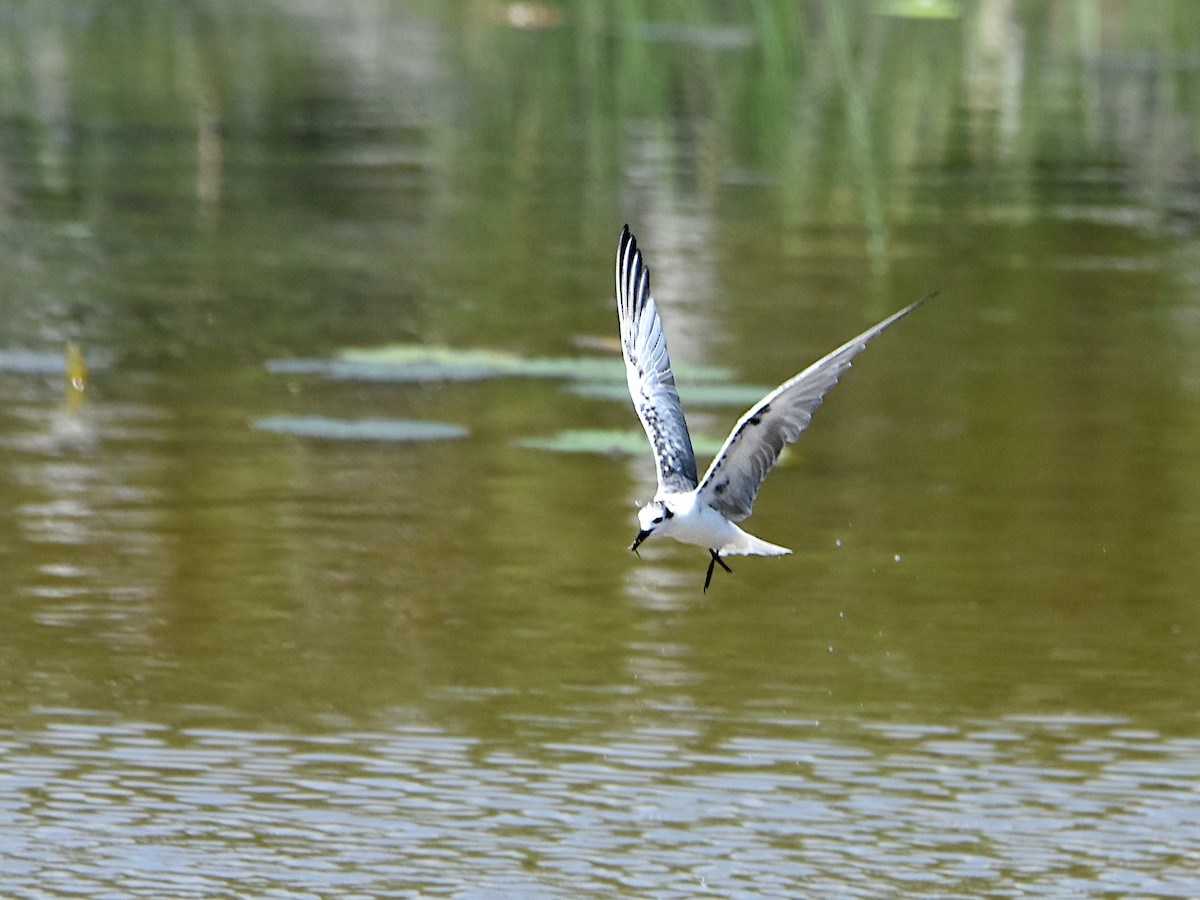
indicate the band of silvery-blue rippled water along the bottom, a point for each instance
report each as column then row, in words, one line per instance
column 136, row 809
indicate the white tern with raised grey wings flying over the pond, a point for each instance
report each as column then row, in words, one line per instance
column 705, row 512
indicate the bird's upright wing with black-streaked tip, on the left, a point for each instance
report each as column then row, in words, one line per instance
column 649, row 371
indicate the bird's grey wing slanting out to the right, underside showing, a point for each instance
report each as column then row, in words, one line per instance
column 733, row 482
